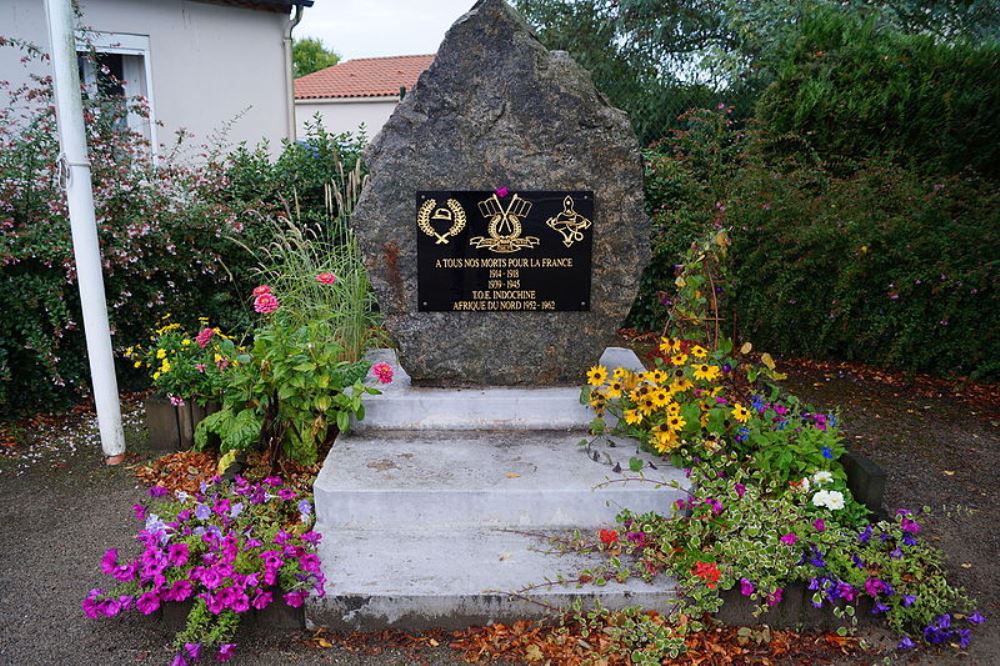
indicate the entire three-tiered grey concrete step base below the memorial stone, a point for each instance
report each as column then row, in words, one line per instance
column 435, row 508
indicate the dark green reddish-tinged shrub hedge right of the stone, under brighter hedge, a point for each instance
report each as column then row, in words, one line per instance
column 883, row 265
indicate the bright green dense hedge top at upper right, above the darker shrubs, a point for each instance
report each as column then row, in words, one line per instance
column 855, row 88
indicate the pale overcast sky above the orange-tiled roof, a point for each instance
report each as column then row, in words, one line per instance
column 369, row 28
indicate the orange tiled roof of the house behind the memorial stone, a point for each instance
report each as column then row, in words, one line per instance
column 363, row 77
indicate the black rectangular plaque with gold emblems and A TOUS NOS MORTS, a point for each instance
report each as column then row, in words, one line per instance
column 504, row 251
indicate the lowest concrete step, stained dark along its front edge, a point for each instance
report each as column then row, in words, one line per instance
column 415, row 580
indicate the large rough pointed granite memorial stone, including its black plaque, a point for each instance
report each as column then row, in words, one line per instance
column 503, row 224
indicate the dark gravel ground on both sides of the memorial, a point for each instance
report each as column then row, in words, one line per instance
column 60, row 508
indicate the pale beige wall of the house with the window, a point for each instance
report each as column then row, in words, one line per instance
column 210, row 64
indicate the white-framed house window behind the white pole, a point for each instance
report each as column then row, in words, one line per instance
column 118, row 65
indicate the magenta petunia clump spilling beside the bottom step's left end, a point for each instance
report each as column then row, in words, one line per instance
column 229, row 549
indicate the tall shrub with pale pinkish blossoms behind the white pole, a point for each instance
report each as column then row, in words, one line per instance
column 165, row 229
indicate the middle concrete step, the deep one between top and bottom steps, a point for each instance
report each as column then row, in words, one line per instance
column 437, row 479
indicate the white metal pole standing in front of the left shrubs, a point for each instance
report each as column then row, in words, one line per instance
column 80, row 199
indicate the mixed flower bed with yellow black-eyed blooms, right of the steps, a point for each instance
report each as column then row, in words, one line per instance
column 769, row 511
